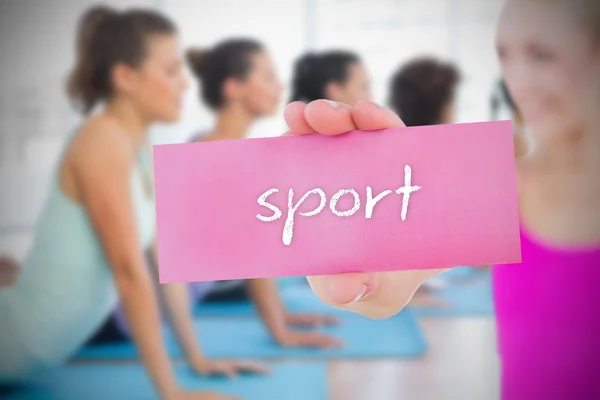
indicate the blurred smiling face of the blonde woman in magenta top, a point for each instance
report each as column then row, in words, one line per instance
column 550, row 64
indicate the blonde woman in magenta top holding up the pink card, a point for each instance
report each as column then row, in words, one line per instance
column 548, row 322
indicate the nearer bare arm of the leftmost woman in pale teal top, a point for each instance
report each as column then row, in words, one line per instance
column 103, row 186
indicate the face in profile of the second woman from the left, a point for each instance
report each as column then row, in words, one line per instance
column 260, row 91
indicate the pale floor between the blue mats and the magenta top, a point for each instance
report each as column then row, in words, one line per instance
column 461, row 364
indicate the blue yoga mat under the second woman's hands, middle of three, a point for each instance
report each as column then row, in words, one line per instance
column 247, row 337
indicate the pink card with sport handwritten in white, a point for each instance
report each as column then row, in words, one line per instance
column 397, row 199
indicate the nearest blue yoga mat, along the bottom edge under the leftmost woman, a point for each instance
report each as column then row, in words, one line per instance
column 291, row 381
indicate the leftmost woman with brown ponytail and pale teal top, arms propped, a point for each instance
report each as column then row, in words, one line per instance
column 98, row 219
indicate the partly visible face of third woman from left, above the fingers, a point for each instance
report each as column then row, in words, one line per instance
column 356, row 87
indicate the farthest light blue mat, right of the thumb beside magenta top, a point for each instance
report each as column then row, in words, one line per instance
column 469, row 298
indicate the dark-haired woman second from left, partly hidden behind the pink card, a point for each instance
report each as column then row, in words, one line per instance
column 239, row 83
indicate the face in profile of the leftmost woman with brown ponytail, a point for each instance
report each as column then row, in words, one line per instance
column 157, row 86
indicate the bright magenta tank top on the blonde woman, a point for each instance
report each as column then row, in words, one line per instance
column 548, row 318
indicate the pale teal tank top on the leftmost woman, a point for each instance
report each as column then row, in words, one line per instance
column 66, row 288
